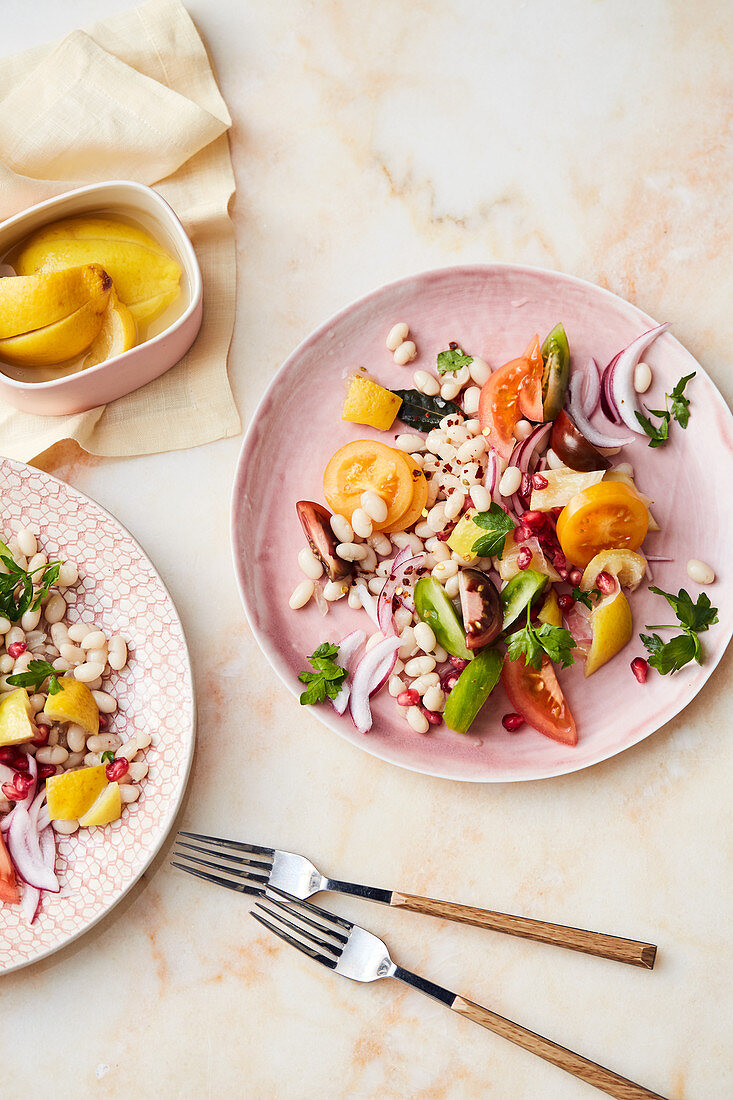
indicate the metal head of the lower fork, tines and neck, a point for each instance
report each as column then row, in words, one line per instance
column 330, row 940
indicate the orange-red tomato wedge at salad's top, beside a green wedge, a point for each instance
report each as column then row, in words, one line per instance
column 513, row 392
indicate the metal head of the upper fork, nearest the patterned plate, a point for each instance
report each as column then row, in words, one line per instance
column 248, row 864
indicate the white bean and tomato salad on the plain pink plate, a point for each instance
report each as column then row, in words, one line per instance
column 494, row 538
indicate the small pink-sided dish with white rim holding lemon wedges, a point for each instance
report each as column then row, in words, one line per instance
column 97, row 386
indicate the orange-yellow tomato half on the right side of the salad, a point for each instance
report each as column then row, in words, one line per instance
column 608, row 516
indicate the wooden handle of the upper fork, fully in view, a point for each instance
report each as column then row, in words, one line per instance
column 577, row 940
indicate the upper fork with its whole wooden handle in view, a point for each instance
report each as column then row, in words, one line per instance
column 251, row 868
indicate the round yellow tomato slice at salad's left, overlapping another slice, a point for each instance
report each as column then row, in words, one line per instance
column 368, row 465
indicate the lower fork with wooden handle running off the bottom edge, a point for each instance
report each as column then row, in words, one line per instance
column 357, row 954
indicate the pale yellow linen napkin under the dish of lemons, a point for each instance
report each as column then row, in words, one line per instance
column 132, row 98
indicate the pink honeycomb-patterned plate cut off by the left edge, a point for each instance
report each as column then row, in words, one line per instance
column 122, row 591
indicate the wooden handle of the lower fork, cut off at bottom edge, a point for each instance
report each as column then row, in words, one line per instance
column 587, row 1071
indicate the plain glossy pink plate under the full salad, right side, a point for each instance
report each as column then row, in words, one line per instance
column 491, row 312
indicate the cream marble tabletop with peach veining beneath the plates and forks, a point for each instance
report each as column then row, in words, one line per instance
column 586, row 138
